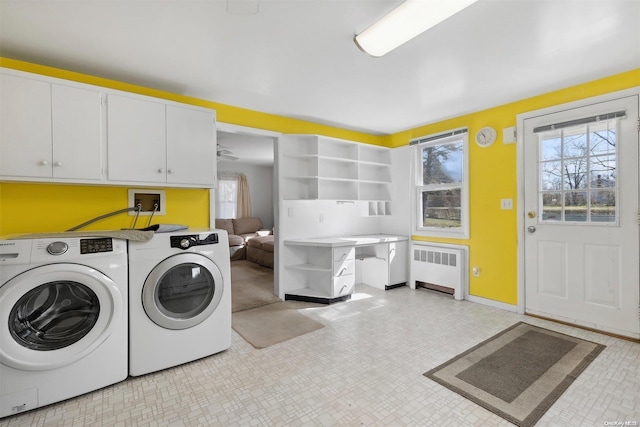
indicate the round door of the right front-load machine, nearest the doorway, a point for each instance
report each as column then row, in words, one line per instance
column 182, row 291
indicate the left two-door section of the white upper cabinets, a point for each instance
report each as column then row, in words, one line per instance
column 49, row 131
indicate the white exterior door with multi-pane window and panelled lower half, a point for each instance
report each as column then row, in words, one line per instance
column 580, row 222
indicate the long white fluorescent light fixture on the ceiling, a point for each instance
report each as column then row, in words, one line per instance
column 406, row 21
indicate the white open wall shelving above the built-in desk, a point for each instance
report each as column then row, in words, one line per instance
column 322, row 168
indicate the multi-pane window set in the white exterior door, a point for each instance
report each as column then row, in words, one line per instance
column 578, row 174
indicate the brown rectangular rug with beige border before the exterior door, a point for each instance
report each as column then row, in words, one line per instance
column 518, row 373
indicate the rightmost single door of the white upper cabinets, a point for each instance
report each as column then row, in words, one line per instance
column 191, row 146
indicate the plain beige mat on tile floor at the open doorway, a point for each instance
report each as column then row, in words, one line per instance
column 274, row 323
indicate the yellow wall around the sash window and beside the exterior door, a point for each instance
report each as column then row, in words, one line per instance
column 493, row 176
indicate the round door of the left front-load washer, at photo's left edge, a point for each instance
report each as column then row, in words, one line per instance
column 56, row 314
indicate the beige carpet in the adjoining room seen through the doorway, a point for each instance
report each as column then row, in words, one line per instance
column 251, row 286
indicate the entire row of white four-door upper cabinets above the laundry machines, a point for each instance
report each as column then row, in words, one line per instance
column 54, row 130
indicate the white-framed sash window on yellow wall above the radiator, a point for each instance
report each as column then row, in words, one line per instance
column 441, row 184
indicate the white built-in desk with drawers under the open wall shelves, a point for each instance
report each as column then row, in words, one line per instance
column 324, row 269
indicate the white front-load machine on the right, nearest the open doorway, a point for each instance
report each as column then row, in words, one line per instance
column 179, row 299
